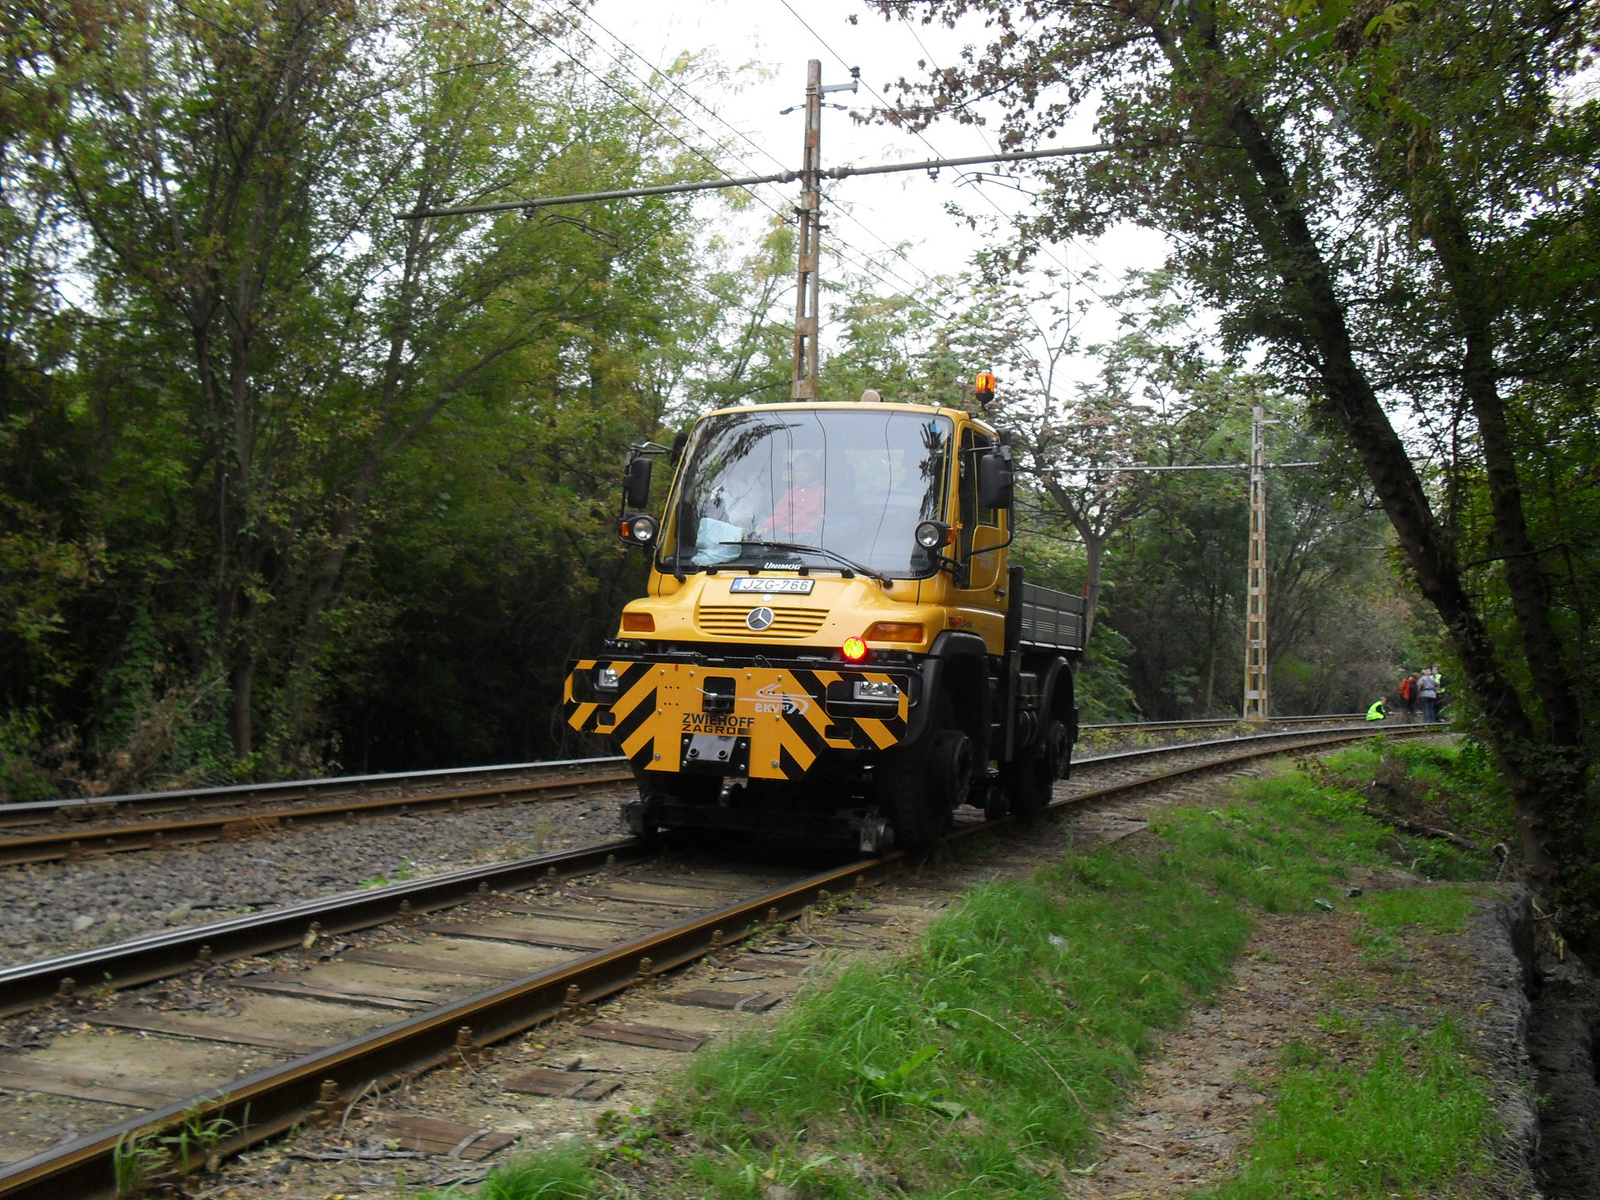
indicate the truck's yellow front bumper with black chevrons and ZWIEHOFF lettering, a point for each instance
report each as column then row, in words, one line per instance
column 759, row 722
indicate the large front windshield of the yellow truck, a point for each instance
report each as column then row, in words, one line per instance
column 852, row 484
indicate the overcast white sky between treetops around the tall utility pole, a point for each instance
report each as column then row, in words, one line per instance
column 897, row 223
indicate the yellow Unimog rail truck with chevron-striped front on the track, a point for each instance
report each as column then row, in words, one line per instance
column 833, row 644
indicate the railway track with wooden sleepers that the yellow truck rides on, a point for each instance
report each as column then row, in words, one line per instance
column 265, row 1047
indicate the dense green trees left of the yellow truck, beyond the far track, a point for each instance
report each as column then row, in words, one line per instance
column 271, row 449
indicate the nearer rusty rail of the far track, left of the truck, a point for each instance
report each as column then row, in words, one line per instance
column 73, row 844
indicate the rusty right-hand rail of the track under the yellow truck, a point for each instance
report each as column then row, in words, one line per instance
column 314, row 1087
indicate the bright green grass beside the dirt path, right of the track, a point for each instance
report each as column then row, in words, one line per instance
column 982, row 1065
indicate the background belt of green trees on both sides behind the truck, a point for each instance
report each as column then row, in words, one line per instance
column 290, row 484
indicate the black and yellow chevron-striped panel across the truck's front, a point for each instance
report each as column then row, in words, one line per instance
column 783, row 713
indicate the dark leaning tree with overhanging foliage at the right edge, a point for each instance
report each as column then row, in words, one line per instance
column 1394, row 206
